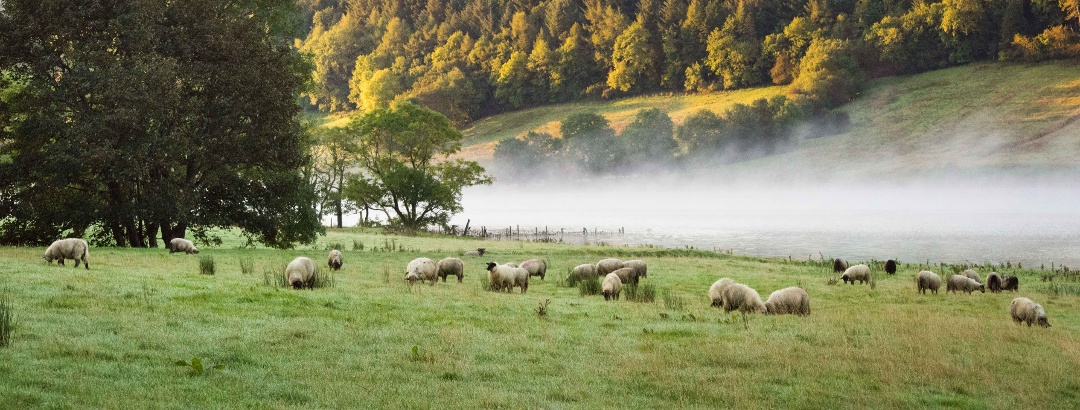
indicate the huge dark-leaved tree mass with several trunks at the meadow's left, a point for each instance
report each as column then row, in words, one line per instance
column 125, row 129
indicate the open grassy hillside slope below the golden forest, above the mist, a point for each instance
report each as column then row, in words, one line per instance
column 968, row 119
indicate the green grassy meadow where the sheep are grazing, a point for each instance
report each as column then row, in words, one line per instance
column 110, row 337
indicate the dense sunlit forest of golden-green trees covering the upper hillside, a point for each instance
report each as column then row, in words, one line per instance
column 470, row 59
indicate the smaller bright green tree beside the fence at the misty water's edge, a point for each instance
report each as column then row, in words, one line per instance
column 404, row 168
